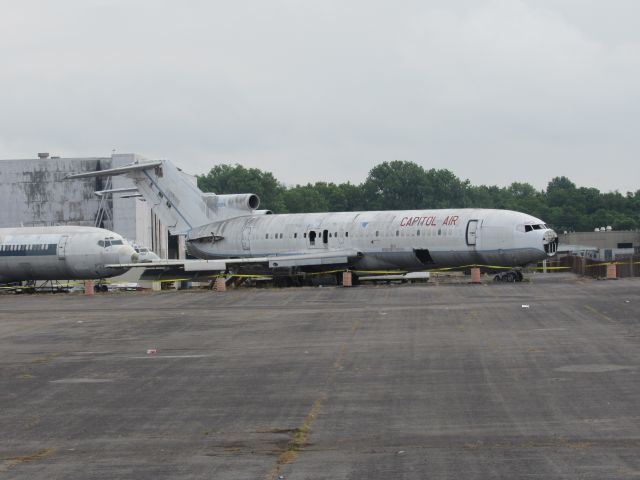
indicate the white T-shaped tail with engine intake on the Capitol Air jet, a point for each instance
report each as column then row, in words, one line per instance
column 176, row 199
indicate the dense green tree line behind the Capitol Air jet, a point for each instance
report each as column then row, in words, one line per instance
column 399, row 185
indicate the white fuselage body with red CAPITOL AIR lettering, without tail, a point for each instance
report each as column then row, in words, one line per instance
column 406, row 239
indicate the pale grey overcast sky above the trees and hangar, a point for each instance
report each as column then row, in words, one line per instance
column 496, row 91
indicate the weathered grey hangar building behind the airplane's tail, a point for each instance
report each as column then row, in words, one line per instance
column 34, row 192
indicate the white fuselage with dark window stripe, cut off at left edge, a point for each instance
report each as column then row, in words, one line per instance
column 61, row 253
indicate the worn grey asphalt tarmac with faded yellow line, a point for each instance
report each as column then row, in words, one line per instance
column 530, row 380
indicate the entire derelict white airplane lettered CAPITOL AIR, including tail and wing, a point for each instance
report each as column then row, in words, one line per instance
column 231, row 234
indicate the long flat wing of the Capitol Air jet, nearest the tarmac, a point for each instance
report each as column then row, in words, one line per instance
column 327, row 257
